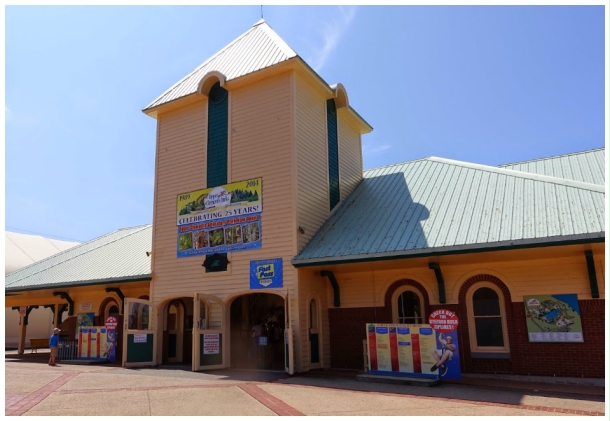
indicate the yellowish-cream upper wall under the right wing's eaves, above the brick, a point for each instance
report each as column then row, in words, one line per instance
column 524, row 272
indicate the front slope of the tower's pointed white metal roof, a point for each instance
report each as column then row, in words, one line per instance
column 258, row 48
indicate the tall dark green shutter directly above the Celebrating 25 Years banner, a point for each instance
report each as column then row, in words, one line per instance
column 218, row 128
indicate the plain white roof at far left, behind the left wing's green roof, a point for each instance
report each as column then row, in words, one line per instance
column 25, row 249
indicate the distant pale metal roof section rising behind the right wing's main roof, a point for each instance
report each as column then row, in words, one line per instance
column 587, row 166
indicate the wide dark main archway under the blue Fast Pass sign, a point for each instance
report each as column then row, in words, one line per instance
column 257, row 327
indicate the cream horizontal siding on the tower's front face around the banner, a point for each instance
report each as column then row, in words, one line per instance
column 259, row 146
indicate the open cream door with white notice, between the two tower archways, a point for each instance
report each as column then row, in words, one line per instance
column 208, row 344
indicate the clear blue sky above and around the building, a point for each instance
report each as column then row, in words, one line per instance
column 489, row 85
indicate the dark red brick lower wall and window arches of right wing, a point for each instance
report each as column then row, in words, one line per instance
column 587, row 359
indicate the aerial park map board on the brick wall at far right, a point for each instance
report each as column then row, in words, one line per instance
column 553, row 318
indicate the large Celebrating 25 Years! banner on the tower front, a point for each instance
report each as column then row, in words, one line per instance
column 221, row 219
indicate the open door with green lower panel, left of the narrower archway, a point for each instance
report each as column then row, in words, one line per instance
column 139, row 334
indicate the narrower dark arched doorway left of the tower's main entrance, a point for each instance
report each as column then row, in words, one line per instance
column 178, row 331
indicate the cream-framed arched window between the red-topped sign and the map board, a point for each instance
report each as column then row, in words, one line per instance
column 487, row 318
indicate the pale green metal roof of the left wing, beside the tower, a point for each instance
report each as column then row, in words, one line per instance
column 120, row 255
